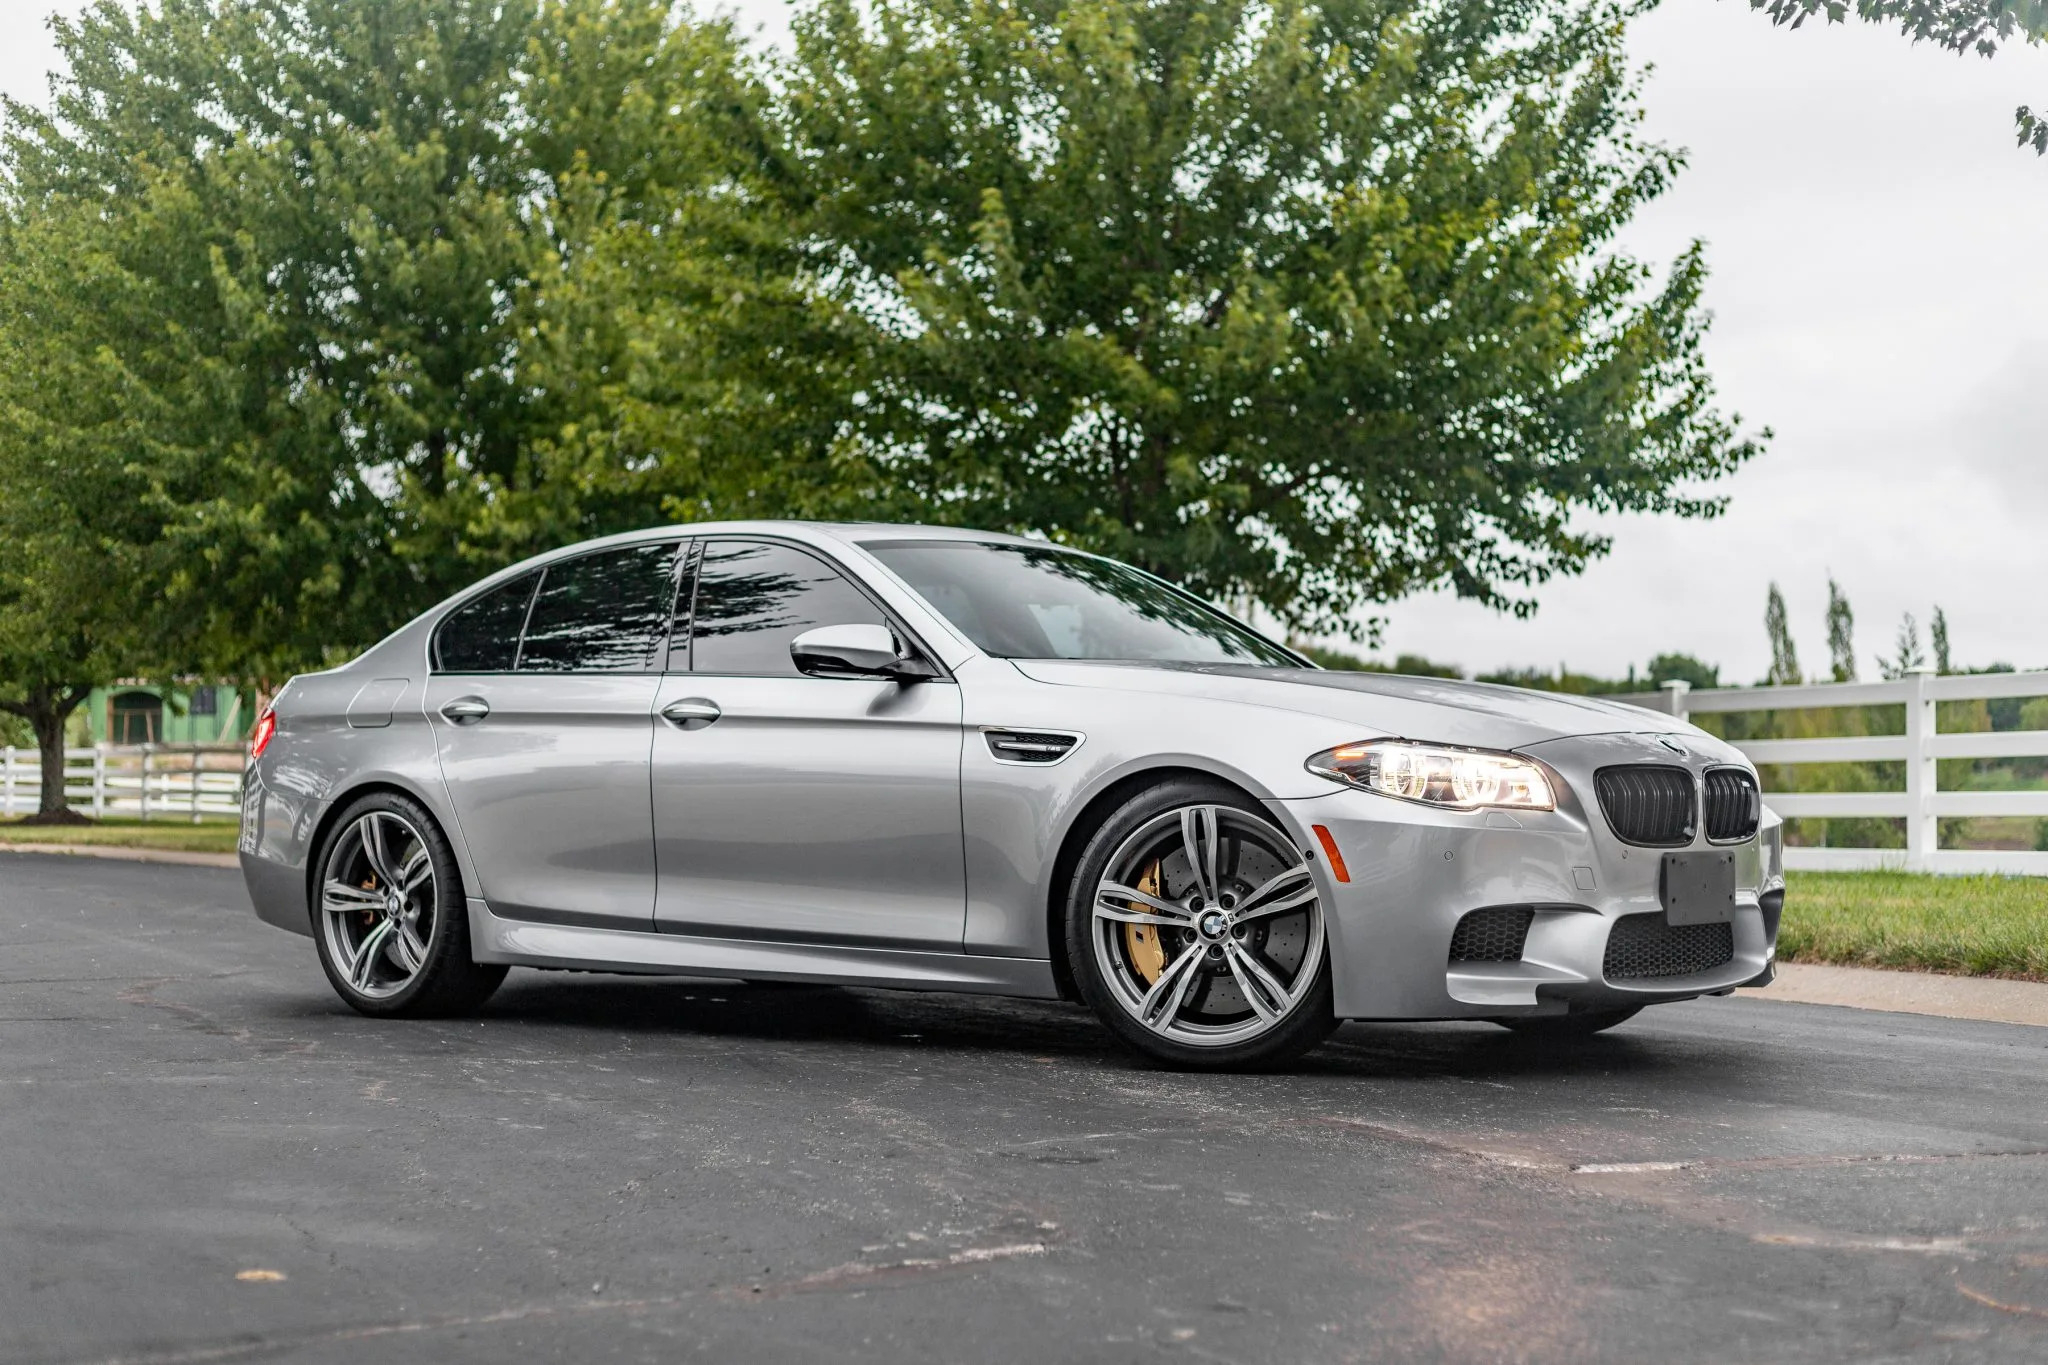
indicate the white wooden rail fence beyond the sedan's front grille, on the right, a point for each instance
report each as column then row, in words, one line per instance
column 1922, row 803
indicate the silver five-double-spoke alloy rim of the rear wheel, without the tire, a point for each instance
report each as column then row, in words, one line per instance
column 378, row 904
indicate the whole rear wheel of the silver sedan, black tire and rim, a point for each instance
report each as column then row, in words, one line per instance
column 390, row 918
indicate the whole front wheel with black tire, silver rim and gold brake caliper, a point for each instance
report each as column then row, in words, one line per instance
column 1195, row 930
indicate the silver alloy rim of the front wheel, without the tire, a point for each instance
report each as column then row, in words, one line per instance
column 1207, row 926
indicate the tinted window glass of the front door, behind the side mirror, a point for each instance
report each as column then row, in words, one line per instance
column 755, row 599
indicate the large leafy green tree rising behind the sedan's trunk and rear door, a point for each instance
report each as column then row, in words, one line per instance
column 372, row 230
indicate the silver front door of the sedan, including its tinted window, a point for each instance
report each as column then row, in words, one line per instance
column 802, row 809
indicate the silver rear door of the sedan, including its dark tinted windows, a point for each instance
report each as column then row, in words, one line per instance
column 544, row 744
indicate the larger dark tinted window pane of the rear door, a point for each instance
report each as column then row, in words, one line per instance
column 601, row 613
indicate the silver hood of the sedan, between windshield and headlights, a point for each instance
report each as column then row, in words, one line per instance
column 1435, row 709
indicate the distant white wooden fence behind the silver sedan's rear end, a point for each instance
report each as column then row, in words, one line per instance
column 157, row 783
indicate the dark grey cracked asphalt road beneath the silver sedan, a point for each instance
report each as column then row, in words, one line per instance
column 613, row 1170
